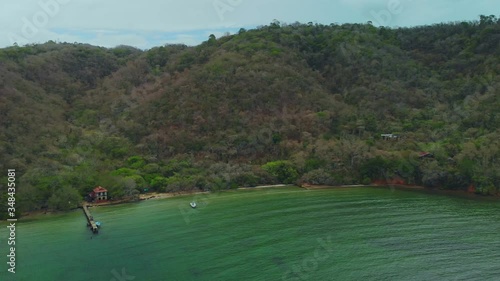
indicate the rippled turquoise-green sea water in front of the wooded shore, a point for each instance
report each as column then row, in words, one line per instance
column 268, row 234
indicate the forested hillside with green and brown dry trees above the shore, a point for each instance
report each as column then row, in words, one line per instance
column 286, row 103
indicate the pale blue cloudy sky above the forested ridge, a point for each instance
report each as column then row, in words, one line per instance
column 148, row 23
